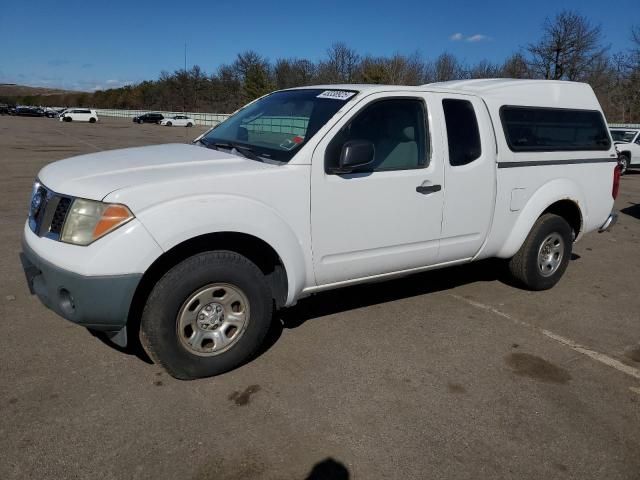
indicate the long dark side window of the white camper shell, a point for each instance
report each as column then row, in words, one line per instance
column 534, row 129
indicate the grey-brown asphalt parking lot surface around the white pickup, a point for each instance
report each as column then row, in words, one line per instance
column 450, row 374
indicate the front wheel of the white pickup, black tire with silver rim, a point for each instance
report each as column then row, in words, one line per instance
column 173, row 325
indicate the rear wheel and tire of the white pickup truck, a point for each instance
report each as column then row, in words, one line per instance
column 534, row 269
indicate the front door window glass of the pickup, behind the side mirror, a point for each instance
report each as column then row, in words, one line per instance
column 396, row 128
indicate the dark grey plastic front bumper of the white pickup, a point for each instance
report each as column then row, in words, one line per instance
column 96, row 302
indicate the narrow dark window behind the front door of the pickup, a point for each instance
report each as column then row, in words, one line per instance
column 462, row 131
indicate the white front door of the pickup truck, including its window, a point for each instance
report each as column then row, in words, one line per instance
column 385, row 217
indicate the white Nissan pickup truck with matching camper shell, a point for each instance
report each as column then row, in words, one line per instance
column 191, row 247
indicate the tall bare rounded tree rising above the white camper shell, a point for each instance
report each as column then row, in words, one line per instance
column 569, row 46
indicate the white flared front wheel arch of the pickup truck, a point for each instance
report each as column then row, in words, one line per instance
column 179, row 220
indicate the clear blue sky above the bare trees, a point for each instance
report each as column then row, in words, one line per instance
column 84, row 45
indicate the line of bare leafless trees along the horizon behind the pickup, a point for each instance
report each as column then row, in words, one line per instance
column 570, row 47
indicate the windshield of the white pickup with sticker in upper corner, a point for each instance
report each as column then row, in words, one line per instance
column 277, row 125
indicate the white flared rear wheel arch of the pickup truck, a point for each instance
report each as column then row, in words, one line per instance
column 545, row 196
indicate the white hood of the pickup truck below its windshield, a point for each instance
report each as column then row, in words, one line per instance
column 95, row 175
